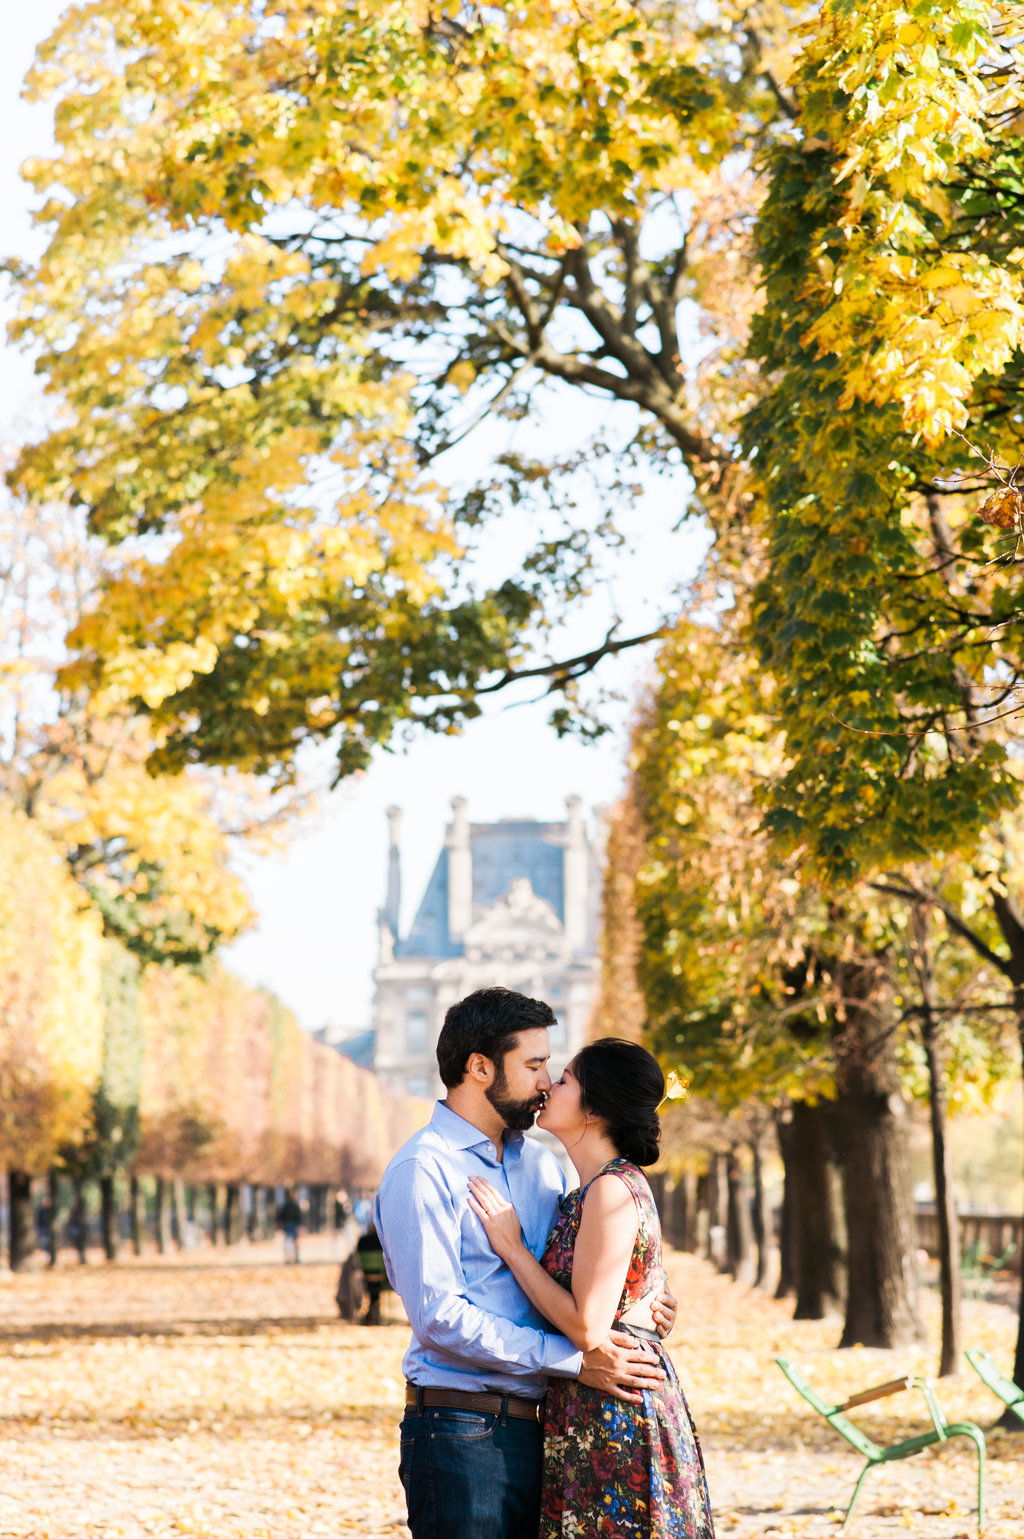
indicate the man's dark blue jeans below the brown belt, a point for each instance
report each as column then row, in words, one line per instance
column 470, row 1475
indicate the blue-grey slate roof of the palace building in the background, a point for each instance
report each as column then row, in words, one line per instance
column 501, row 853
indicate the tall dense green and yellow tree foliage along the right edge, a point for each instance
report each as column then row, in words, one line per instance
column 892, row 330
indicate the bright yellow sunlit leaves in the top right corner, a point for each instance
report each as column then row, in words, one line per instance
column 899, row 98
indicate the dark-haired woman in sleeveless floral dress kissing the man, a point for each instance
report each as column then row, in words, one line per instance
column 612, row 1469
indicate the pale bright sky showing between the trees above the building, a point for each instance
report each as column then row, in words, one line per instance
column 315, row 943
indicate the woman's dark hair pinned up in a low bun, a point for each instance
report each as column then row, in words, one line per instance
column 623, row 1083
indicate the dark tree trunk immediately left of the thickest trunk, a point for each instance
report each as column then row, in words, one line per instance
column 817, row 1224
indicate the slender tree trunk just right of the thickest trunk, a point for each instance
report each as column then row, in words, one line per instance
column 942, row 1158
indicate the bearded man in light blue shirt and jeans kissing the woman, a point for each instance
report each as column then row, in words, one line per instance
column 480, row 1358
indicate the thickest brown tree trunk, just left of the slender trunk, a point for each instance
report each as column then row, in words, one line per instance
column 872, row 1130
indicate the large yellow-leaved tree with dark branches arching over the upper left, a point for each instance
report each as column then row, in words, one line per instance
column 270, row 304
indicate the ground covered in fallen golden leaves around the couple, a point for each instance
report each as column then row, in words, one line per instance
column 226, row 1400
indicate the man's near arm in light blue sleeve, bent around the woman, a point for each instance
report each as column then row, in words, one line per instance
column 420, row 1229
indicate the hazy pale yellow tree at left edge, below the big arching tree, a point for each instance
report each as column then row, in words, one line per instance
column 150, row 852
